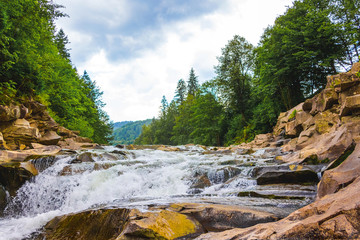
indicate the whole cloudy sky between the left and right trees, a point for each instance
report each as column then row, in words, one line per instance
column 137, row 50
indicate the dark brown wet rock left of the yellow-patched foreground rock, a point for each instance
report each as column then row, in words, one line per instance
column 87, row 225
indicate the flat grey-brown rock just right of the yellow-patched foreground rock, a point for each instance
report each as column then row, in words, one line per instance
column 214, row 217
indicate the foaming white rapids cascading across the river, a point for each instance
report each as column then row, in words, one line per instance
column 146, row 177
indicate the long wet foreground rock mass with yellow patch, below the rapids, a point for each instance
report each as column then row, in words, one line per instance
column 177, row 221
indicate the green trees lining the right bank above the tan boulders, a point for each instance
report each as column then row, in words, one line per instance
column 312, row 39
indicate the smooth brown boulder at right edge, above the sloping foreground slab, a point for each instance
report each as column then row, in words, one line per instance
column 337, row 178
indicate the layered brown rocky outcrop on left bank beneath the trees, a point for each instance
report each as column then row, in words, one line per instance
column 22, row 125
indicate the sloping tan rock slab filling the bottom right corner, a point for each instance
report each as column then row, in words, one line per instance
column 334, row 216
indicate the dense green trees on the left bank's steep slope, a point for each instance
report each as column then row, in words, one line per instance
column 35, row 64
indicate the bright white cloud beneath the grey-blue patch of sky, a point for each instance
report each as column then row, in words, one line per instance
column 133, row 88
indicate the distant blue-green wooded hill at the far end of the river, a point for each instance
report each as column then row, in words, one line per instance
column 127, row 131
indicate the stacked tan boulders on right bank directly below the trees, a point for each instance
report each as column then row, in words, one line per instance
column 322, row 128
